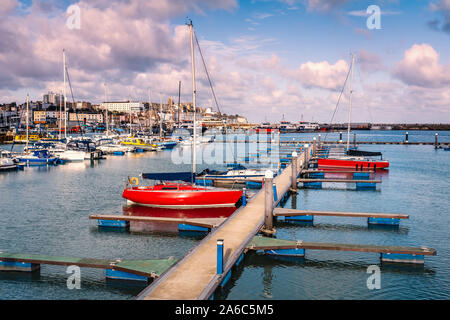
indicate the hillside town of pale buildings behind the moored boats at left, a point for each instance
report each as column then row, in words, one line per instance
column 48, row 114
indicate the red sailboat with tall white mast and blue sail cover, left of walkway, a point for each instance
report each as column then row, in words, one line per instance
column 181, row 195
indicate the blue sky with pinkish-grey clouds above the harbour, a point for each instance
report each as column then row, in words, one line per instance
column 266, row 58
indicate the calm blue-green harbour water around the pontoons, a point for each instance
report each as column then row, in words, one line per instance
column 44, row 210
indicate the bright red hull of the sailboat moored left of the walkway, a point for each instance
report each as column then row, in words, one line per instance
column 181, row 196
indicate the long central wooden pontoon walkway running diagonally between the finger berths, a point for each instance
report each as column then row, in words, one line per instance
column 194, row 276
